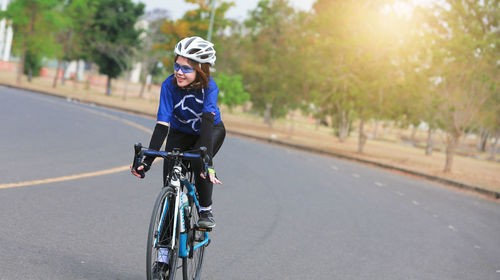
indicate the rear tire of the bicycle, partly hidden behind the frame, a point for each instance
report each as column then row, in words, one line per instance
column 191, row 266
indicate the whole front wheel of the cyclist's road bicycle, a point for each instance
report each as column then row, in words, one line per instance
column 160, row 237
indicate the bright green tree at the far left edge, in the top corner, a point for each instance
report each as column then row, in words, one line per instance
column 34, row 23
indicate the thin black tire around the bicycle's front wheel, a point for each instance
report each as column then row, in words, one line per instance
column 155, row 238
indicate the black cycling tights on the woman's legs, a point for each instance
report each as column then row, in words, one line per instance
column 183, row 141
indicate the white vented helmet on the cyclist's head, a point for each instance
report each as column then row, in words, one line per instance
column 197, row 49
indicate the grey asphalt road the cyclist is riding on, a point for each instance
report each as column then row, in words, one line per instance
column 281, row 214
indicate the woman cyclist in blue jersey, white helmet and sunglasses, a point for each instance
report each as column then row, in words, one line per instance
column 188, row 117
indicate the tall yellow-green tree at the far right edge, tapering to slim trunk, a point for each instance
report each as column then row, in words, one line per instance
column 466, row 33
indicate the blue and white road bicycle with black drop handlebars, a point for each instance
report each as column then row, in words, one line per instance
column 173, row 231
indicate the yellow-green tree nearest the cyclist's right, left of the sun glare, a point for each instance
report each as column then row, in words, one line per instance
column 269, row 64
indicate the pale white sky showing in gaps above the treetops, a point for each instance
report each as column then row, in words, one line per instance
column 177, row 8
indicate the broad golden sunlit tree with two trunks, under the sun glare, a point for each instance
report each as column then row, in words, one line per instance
column 356, row 47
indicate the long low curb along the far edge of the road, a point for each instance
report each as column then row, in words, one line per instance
column 488, row 193
